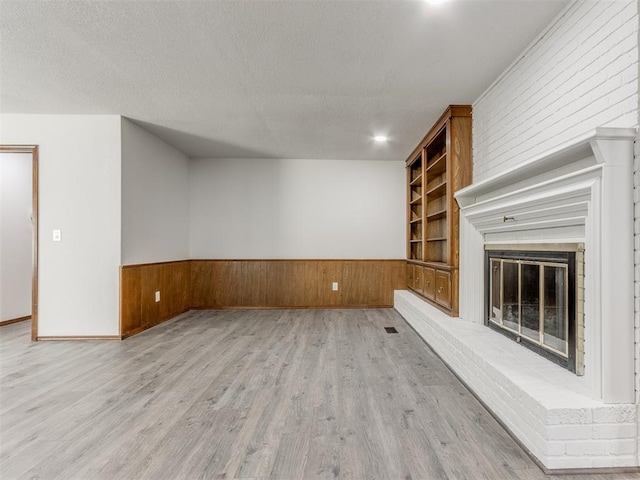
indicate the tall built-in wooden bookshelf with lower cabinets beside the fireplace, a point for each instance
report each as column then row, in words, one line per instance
column 438, row 167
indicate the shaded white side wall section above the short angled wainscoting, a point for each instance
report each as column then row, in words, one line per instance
column 155, row 198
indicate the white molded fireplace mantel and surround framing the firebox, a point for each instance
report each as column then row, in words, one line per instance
column 581, row 192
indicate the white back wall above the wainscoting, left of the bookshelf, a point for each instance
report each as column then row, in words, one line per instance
column 265, row 208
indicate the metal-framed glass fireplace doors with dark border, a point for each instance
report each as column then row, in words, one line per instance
column 526, row 314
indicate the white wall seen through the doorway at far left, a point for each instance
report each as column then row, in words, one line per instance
column 15, row 235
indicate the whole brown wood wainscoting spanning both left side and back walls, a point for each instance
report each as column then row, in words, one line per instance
column 219, row 284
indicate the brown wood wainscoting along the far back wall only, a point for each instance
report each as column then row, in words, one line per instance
column 294, row 283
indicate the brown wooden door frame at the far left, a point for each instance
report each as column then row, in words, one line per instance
column 33, row 150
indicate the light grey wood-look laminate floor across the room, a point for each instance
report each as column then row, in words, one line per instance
column 293, row 394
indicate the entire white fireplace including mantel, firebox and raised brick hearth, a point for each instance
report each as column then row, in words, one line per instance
column 576, row 198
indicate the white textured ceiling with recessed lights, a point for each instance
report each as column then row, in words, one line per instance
column 285, row 79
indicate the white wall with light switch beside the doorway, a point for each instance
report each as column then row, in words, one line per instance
column 79, row 193
